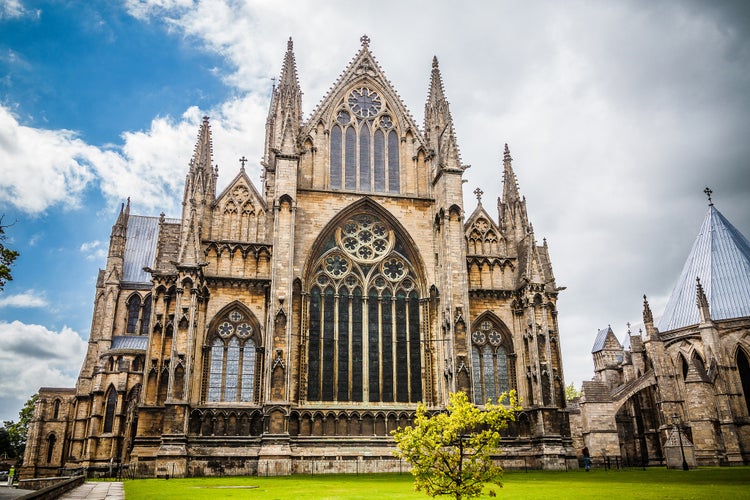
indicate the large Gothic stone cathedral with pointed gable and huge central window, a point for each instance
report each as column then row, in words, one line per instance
column 290, row 326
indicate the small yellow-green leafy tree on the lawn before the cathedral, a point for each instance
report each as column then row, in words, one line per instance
column 451, row 452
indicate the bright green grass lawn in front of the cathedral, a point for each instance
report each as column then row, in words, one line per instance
column 714, row 483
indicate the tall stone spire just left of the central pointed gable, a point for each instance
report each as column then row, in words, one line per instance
column 285, row 113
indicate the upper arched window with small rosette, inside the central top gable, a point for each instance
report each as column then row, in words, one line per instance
column 364, row 145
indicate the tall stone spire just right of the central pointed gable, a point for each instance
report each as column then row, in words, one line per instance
column 438, row 124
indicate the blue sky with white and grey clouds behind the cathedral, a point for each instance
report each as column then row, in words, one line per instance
column 617, row 115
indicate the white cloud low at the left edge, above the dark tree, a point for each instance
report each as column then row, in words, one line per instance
column 33, row 356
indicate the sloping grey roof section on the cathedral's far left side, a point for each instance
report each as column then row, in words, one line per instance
column 140, row 247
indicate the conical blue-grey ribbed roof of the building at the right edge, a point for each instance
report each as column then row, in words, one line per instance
column 721, row 259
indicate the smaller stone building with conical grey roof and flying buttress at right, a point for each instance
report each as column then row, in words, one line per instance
column 686, row 379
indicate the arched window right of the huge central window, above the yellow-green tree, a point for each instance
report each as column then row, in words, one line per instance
column 492, row 372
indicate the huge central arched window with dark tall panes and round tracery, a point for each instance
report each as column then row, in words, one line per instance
column 364, row 317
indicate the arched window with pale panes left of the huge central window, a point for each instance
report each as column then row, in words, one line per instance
column 232, row 360
